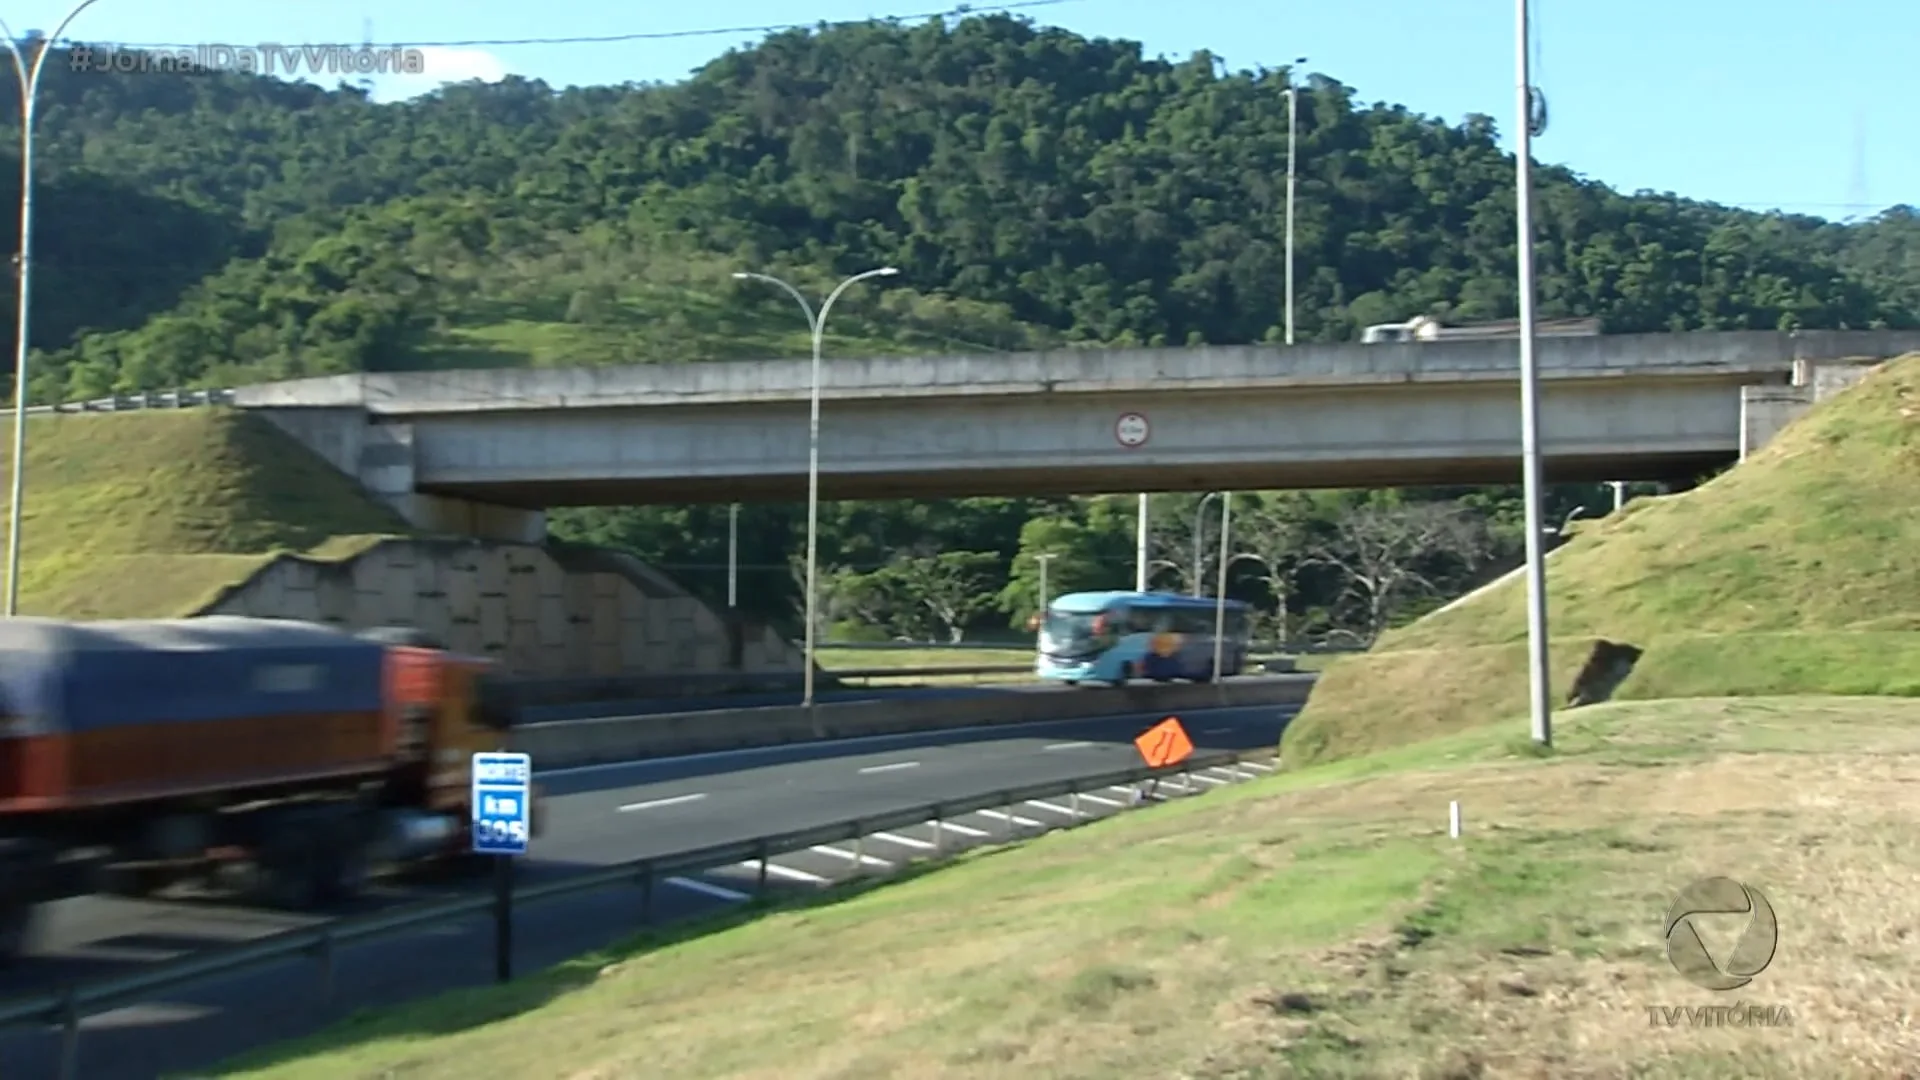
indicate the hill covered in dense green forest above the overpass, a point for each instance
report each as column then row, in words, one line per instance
column 1032, row 185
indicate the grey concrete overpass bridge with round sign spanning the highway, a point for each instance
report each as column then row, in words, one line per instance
column 485, row 453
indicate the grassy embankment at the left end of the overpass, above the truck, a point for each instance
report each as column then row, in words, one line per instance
column 153, row 514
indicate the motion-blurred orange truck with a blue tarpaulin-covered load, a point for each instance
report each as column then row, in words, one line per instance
column 285, row 758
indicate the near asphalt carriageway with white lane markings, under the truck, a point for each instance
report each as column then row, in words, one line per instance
column 598, row 816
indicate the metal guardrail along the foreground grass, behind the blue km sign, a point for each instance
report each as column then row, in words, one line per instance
column 70, row 1006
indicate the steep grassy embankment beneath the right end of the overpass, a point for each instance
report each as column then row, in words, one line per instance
column 1796, row 572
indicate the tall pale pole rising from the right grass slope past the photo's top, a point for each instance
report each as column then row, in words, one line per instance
column 1537, row 587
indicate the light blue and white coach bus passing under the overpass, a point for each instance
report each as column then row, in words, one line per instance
column 1113, row 637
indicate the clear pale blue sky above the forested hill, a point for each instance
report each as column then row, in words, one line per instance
column 1798, row 105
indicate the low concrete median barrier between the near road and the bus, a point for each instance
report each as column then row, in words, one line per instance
column 569, row 745
